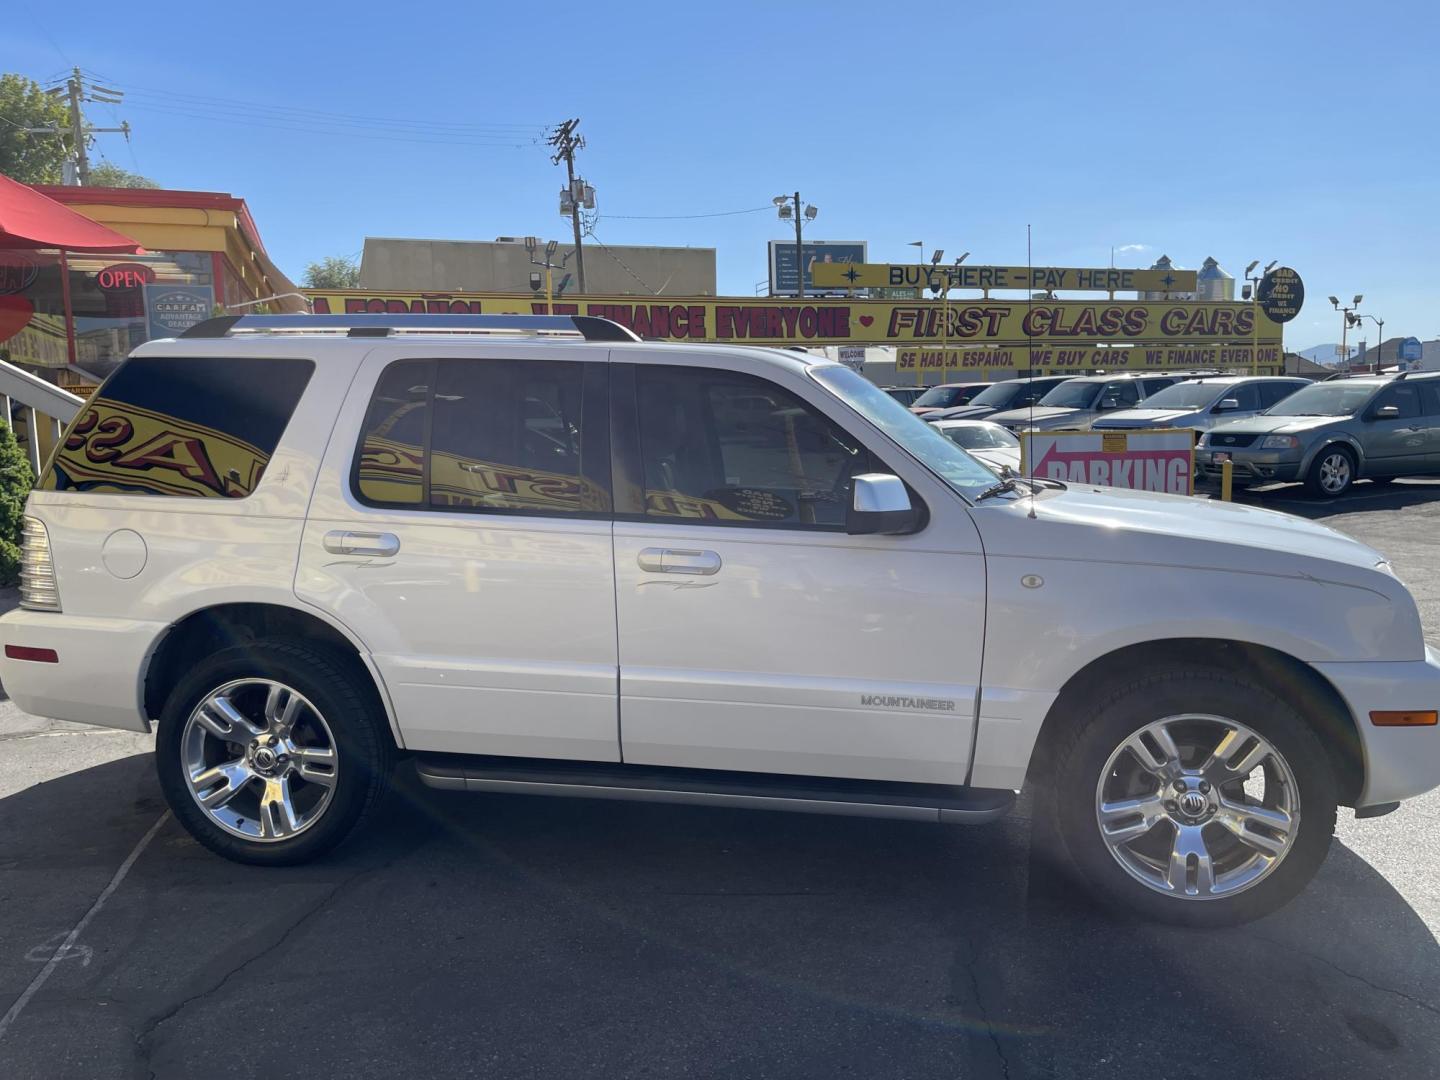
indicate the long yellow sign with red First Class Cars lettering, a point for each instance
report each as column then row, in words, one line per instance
column 842, row 322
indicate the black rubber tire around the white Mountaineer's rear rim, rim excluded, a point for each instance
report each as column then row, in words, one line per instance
column 365, row 751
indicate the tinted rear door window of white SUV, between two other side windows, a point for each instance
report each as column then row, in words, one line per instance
column 487, row 436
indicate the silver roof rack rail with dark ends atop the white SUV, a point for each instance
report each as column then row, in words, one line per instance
column 590, row 328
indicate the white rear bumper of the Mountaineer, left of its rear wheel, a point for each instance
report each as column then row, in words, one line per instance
column 99, row 676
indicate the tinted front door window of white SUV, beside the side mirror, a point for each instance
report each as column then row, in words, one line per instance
column 734, row 450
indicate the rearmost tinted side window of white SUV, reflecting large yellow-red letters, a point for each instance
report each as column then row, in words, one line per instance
column 199, row 427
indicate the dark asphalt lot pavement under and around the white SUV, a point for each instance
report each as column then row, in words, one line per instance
column 551, row 938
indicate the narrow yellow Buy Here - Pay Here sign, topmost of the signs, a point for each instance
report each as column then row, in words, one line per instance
column 1053, row 279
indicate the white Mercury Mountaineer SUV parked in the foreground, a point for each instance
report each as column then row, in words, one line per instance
column 538, row 555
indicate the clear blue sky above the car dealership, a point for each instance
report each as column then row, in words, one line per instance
column 1302, row 132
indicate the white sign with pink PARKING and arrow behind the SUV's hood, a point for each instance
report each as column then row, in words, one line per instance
column 1160, row 460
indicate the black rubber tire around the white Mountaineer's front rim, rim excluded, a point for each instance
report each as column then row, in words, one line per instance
column 1079, row 757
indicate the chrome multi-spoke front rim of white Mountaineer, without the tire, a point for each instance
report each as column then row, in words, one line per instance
column 1197, row 807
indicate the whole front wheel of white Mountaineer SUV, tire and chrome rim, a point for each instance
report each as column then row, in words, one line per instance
column 1194, row 797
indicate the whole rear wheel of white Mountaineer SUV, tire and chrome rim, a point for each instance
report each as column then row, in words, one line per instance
column 270, row 752
